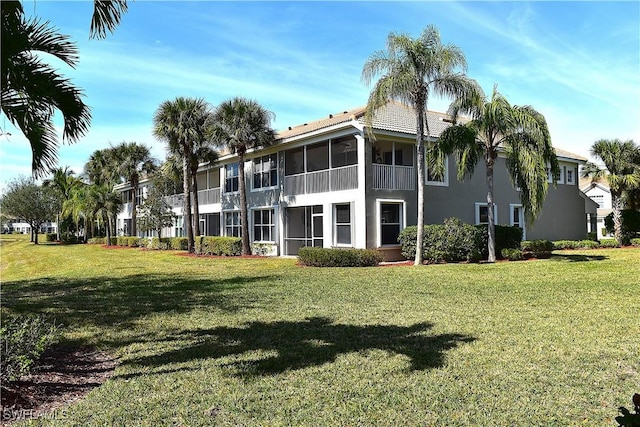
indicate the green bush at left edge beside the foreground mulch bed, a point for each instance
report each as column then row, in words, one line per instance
column 23, row 340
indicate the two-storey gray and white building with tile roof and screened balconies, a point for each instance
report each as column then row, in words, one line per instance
column 324, row 183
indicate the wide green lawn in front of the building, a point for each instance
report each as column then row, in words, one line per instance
column 266, row 342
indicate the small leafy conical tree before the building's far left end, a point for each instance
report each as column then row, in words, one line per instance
column 155, row 211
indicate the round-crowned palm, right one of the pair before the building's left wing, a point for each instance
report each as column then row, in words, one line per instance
column 240, row 124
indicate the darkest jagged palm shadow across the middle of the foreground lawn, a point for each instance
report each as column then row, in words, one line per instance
column 292, row 345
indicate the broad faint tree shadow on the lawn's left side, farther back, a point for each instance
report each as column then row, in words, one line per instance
column 108, row 301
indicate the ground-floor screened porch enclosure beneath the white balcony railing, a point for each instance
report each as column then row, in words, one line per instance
column 303, row 227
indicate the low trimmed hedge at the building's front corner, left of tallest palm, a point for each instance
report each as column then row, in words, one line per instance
column 334, row 257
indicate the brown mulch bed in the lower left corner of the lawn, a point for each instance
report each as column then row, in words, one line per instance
column 65, row 375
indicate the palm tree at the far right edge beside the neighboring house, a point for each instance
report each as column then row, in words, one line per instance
column 622, row 171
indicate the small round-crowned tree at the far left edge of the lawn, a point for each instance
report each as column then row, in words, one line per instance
column 31, row 203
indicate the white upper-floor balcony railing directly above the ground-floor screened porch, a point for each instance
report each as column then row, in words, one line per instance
column 324, row 181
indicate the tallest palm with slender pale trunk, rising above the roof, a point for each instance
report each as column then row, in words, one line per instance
column 411, row 69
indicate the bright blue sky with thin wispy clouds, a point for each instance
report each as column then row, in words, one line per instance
column 578, row 63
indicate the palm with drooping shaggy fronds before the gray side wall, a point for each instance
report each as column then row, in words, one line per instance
column 495, row 126
